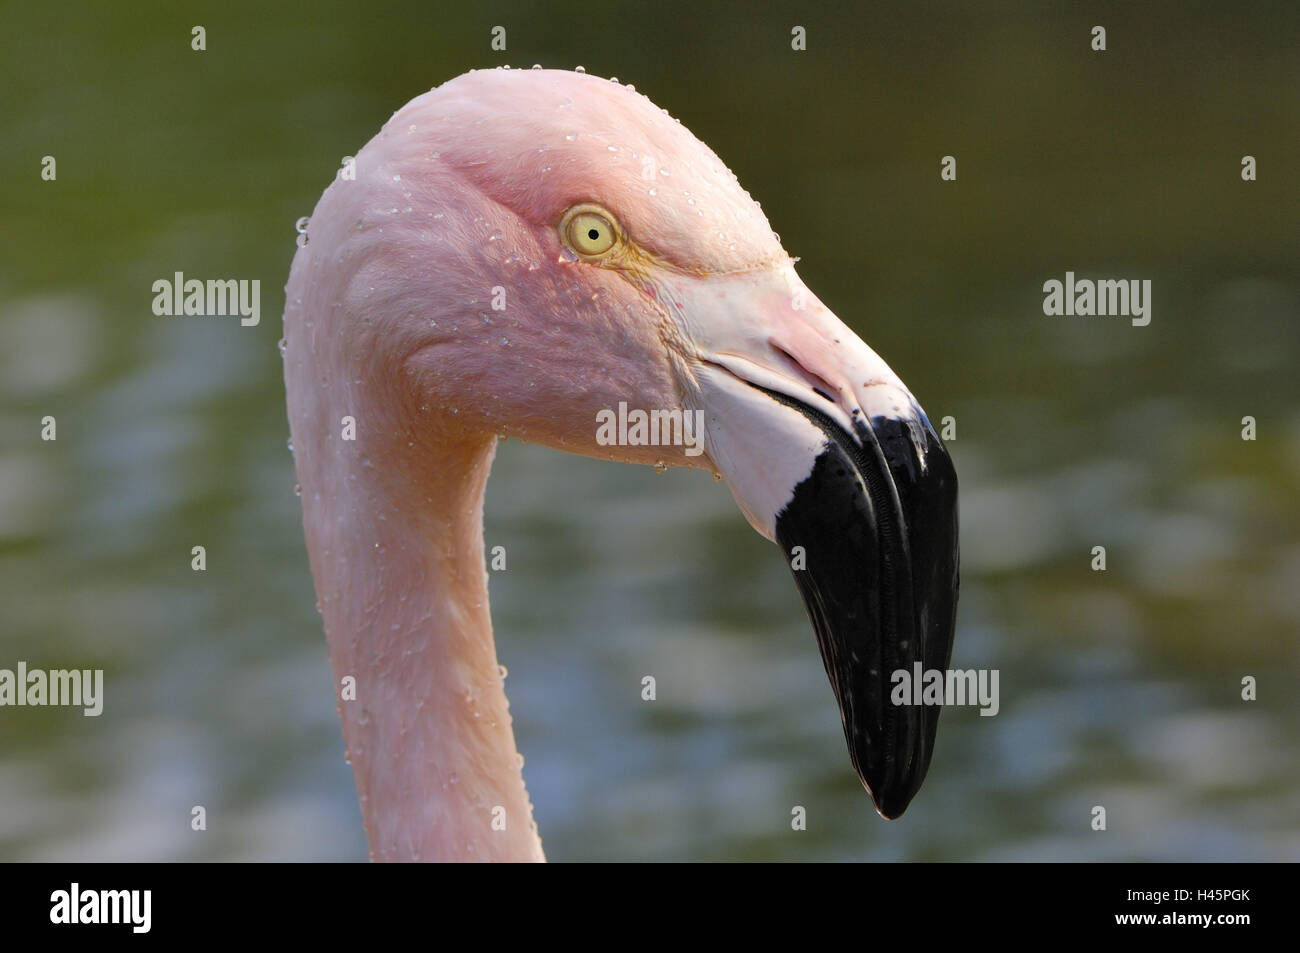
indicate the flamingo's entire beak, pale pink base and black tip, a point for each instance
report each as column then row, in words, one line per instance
column 829, row 454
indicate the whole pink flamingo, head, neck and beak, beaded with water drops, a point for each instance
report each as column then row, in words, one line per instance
column 513, row 255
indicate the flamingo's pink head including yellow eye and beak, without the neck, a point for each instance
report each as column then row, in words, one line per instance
column 552, row 257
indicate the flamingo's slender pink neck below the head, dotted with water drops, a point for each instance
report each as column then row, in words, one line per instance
column 396, row 539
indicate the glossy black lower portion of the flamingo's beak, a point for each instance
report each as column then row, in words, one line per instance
column 877, row 519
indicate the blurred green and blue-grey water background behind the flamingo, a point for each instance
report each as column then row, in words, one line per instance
column 1119, row 688
